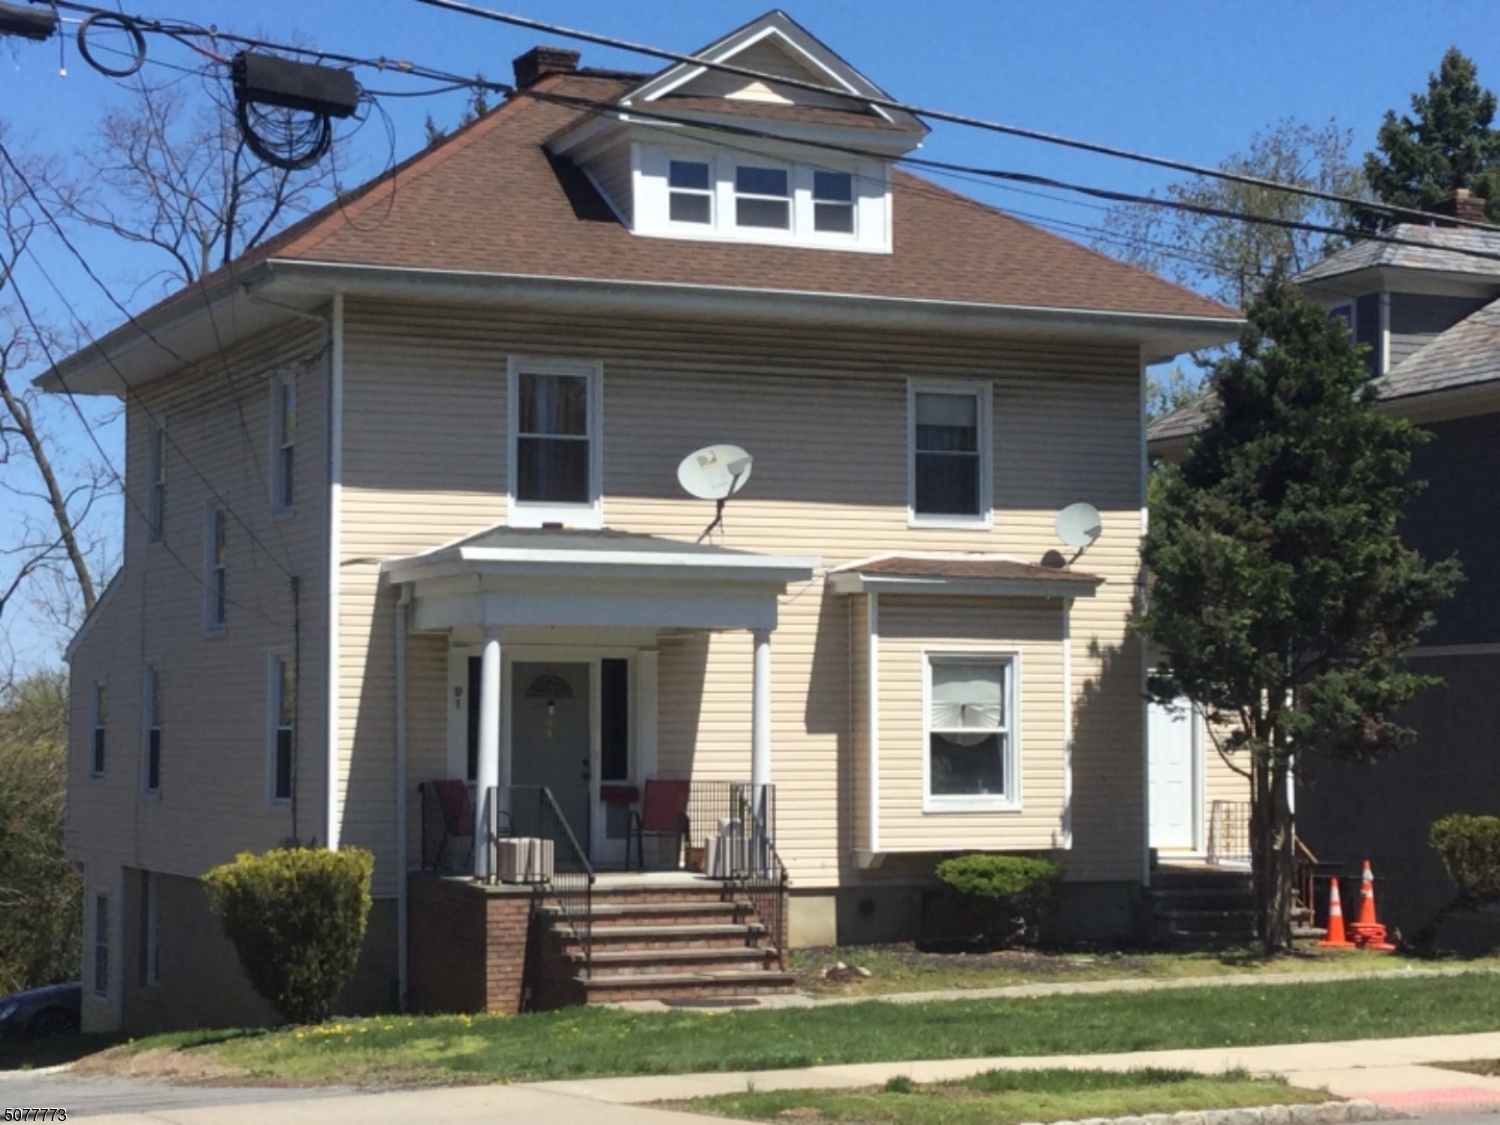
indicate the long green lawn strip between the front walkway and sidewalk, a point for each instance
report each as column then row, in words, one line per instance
column 598, row 1042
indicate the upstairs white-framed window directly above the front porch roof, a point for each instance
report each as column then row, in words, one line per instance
column 556, row 460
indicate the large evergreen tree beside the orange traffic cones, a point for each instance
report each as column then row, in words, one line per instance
column 1283, row 596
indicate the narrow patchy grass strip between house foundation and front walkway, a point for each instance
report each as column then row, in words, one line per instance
column 904, row 968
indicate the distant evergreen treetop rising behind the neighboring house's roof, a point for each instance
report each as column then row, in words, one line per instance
column 1447, row 143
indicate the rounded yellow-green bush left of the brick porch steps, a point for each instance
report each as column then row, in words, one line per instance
column 298, row 920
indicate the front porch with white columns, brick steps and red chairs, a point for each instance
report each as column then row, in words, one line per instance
column 554, row 781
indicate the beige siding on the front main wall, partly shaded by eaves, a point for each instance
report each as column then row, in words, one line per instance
column 824, row 413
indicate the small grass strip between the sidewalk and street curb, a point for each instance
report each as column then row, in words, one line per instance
column 1012, row 1097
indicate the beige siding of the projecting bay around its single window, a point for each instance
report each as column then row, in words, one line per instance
column 913, row 629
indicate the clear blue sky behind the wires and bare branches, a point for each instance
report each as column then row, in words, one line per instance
column 1189, row 80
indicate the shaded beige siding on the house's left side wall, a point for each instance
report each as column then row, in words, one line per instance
column 215, row 689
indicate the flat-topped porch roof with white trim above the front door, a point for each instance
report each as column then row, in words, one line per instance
column 557, row 577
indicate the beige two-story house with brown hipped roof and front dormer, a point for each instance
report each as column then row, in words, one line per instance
column 404, row 508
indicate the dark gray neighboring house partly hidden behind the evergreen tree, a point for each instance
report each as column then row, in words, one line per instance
column 1432, row 319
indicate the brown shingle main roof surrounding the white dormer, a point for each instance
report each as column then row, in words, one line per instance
column 491, row 200
